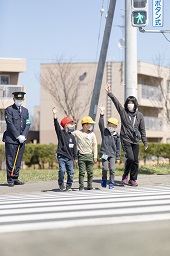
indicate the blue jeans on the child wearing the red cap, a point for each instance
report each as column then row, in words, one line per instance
column 65, row 165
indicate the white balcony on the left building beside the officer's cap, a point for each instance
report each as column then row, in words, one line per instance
column 6, row 94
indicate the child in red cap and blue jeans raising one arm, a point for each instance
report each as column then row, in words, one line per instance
column 66, row 151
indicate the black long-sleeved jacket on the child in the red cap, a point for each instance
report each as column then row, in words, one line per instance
column 66, row 142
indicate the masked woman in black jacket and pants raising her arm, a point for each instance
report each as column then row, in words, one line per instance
column 132, row 131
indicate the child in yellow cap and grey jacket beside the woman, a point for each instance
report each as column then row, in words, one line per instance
column 110, row 148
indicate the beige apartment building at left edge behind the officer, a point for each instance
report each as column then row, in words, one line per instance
column 10, row 70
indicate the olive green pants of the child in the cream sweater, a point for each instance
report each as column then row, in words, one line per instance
column 85, row 163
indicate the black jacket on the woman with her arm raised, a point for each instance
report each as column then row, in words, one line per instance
column 127, row 128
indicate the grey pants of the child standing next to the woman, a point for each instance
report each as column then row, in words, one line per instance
column 108, row 164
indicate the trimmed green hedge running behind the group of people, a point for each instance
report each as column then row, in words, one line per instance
column 44, row 155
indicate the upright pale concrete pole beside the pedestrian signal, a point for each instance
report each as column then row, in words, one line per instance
column 130, row 54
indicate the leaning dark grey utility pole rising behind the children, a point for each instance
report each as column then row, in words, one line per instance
column 102, row 60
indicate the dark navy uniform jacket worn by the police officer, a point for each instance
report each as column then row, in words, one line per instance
column 17, row 124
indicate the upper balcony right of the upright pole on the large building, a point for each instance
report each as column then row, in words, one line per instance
column 149, row 96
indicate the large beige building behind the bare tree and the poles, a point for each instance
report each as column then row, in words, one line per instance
column 149, row 77
